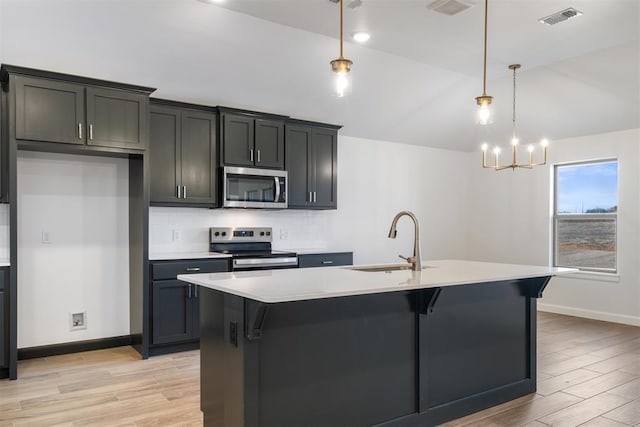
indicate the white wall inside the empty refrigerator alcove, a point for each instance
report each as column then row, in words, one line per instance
column 82, row 202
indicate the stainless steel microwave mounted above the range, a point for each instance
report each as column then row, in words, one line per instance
column 254, row 188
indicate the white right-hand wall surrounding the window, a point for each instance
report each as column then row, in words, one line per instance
column 511, row 222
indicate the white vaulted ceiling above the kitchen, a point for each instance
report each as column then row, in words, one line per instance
column 413, row 82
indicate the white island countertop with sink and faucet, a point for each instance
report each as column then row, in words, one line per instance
column 272, row 286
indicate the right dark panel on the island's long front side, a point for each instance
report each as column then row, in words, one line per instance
column 477, row 348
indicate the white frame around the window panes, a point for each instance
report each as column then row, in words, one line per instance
column 595, row 216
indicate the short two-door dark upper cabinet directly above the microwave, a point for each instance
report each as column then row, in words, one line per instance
column 252, row 141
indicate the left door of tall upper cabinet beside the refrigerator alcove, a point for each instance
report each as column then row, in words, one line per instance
column 164, row 154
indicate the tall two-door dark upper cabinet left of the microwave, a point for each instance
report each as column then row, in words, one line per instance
column 182, row 155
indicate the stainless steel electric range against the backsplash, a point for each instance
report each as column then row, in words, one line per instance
column 250, row 248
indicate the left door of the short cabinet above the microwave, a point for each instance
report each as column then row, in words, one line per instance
column 237, row 140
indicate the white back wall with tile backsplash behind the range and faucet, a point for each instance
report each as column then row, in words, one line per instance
column 376, row 179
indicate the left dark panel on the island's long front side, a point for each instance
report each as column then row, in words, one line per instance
column 339, row 361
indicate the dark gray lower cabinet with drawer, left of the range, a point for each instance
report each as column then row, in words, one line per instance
column 175, row 305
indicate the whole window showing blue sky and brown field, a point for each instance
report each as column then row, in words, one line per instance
column 585, row 216
